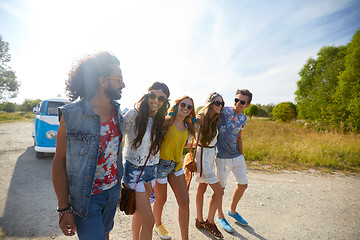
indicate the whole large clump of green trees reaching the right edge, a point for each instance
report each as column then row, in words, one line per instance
column 329, row 89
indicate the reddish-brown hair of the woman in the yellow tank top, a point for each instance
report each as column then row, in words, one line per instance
column 170, row 119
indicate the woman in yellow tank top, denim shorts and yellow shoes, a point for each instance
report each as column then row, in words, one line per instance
column 178, row 127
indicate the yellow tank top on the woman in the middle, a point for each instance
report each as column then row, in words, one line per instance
column 173, row 145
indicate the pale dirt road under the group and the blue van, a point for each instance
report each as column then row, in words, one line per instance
column 286, row 205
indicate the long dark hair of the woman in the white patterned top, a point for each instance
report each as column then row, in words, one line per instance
column 142, row 118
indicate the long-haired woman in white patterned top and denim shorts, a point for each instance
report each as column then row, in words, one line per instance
column 143, row 134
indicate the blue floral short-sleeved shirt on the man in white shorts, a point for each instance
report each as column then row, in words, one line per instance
column 229, row 128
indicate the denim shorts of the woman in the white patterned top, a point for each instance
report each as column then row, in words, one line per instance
column 132, row 173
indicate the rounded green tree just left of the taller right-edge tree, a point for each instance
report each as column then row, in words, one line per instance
column 318, row 83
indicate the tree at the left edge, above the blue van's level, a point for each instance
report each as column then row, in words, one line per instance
column 9, row 86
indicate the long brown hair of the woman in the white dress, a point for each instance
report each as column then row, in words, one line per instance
column 209, row 128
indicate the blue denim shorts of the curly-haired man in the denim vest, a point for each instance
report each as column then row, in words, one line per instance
column 100, row 217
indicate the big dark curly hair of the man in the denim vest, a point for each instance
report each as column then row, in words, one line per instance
column 83, row 77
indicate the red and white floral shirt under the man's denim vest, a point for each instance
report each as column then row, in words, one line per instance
column 106, row 170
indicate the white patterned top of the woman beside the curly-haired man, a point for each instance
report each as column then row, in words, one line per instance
column 137, row 156
